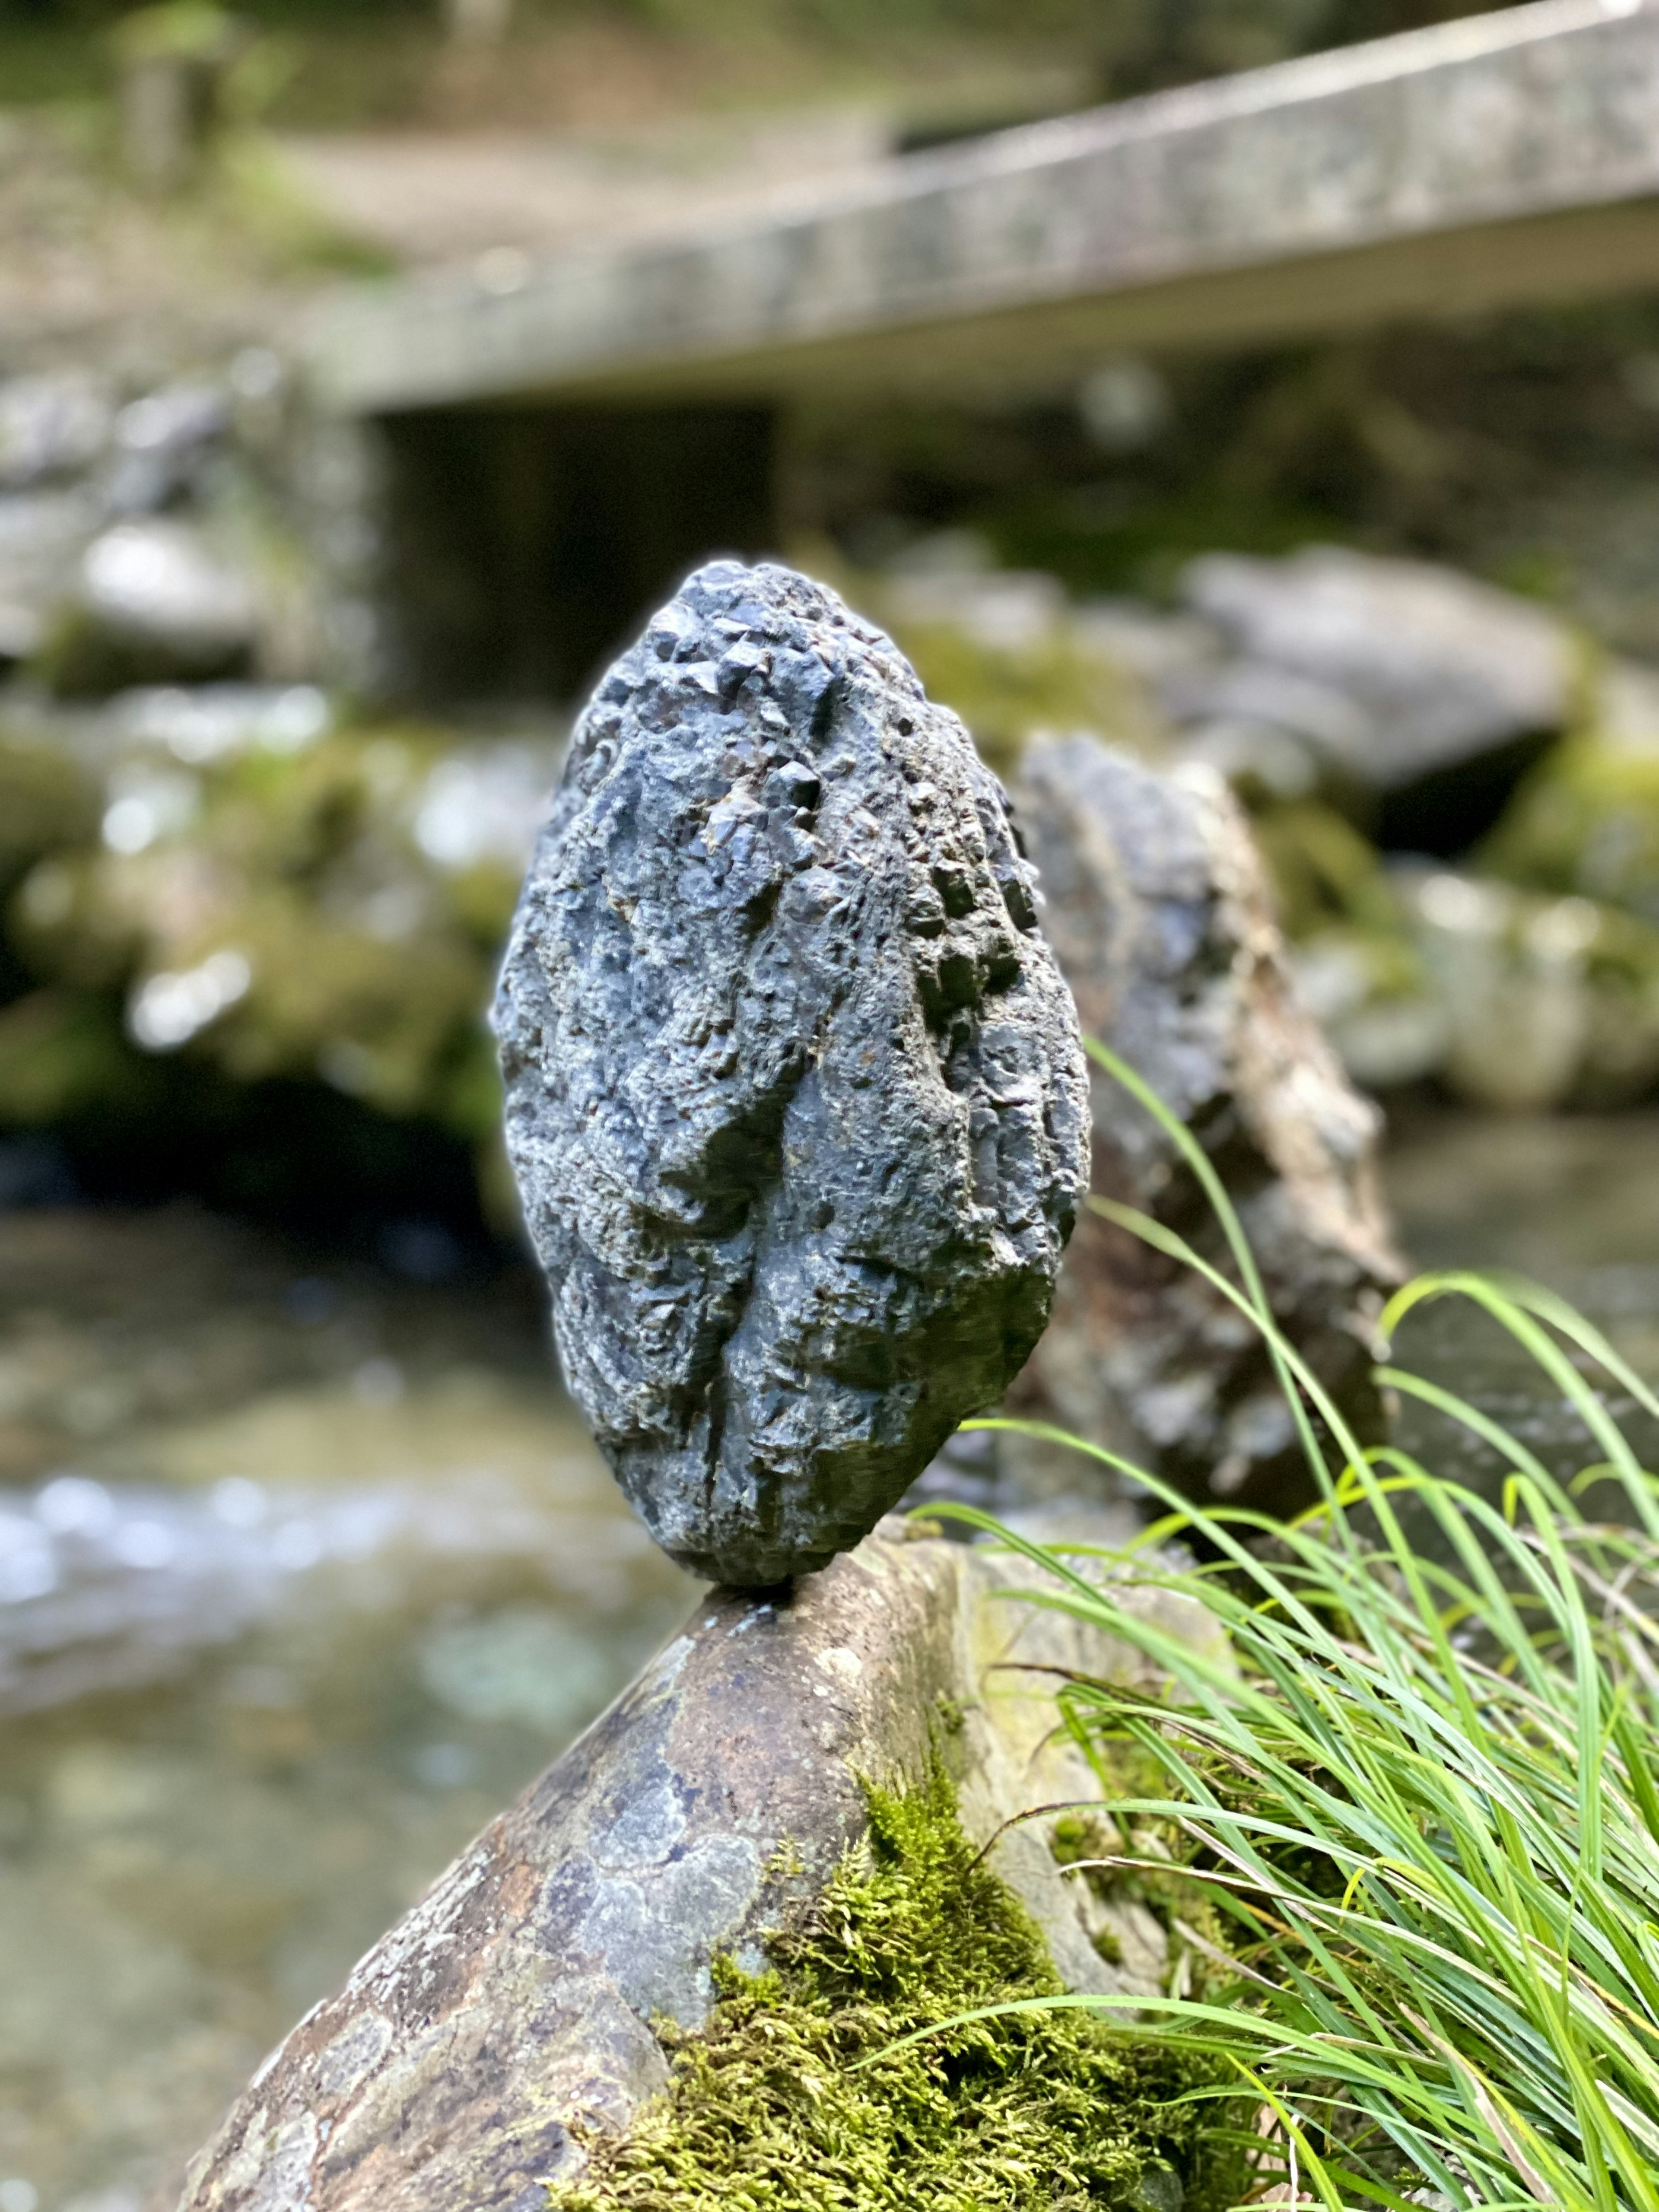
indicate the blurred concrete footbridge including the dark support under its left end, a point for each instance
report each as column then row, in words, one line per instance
column 1490, row 163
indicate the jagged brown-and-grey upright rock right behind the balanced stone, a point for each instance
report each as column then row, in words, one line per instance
column 1162, row 924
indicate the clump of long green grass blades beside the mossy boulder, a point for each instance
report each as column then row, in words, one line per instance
column 1423, row 1791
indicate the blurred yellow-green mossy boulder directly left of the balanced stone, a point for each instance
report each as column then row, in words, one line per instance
column 342, row 954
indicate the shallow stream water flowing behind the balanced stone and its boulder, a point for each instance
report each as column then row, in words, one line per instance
column 304, row 1572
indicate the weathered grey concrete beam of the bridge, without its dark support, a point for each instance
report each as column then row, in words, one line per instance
column 1485, row 163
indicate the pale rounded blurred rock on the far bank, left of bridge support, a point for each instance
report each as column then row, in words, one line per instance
column 154, row 603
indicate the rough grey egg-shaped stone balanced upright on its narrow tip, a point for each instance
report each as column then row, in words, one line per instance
column 795, row 1092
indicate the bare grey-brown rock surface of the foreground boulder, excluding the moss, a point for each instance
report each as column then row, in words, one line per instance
column 519, row 1994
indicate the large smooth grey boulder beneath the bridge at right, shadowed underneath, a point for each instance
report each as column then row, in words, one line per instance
column 1415, row 687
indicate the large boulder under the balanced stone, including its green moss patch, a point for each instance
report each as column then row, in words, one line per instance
column 658, row 1976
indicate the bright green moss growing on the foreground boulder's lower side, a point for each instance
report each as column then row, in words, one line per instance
column 800, row 2094
